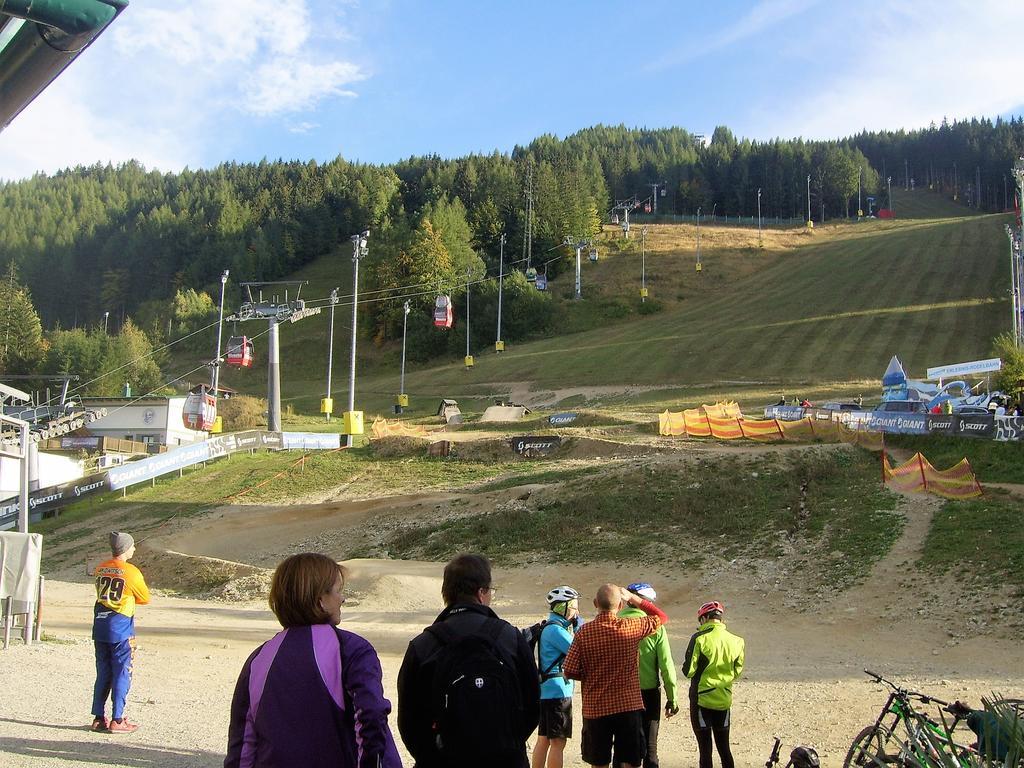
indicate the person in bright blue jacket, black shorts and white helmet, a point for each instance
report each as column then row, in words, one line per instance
column 557, row 693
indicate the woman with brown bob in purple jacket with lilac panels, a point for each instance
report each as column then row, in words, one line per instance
column 312, row 696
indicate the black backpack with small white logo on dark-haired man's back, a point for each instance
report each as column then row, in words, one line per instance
column 477, row 700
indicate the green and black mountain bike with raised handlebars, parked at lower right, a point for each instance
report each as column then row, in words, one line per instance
column 911, row 739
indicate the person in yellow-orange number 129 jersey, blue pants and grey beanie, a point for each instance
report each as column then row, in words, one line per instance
column 120, row 587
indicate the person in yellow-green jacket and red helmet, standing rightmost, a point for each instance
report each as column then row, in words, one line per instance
column 714, row 660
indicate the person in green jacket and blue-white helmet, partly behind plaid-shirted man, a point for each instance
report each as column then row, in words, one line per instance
column 655, row 659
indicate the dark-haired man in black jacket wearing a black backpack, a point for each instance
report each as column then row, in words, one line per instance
column 468, row 688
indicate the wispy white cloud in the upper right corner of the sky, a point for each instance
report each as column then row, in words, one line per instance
column 914, row 67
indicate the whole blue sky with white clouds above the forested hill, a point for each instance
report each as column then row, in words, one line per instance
column 202, row 82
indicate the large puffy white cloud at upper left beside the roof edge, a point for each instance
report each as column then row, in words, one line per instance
column 162, row 81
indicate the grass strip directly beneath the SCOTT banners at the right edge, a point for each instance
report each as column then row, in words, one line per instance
column 992, row 461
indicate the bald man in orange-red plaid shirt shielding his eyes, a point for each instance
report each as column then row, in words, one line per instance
column 604, row 658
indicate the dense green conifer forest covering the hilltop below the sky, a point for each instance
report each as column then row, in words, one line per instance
column 149, row 247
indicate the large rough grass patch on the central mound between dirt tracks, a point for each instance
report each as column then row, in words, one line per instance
column 735, row 506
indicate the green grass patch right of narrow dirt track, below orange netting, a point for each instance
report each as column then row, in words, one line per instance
column 983, row 538
